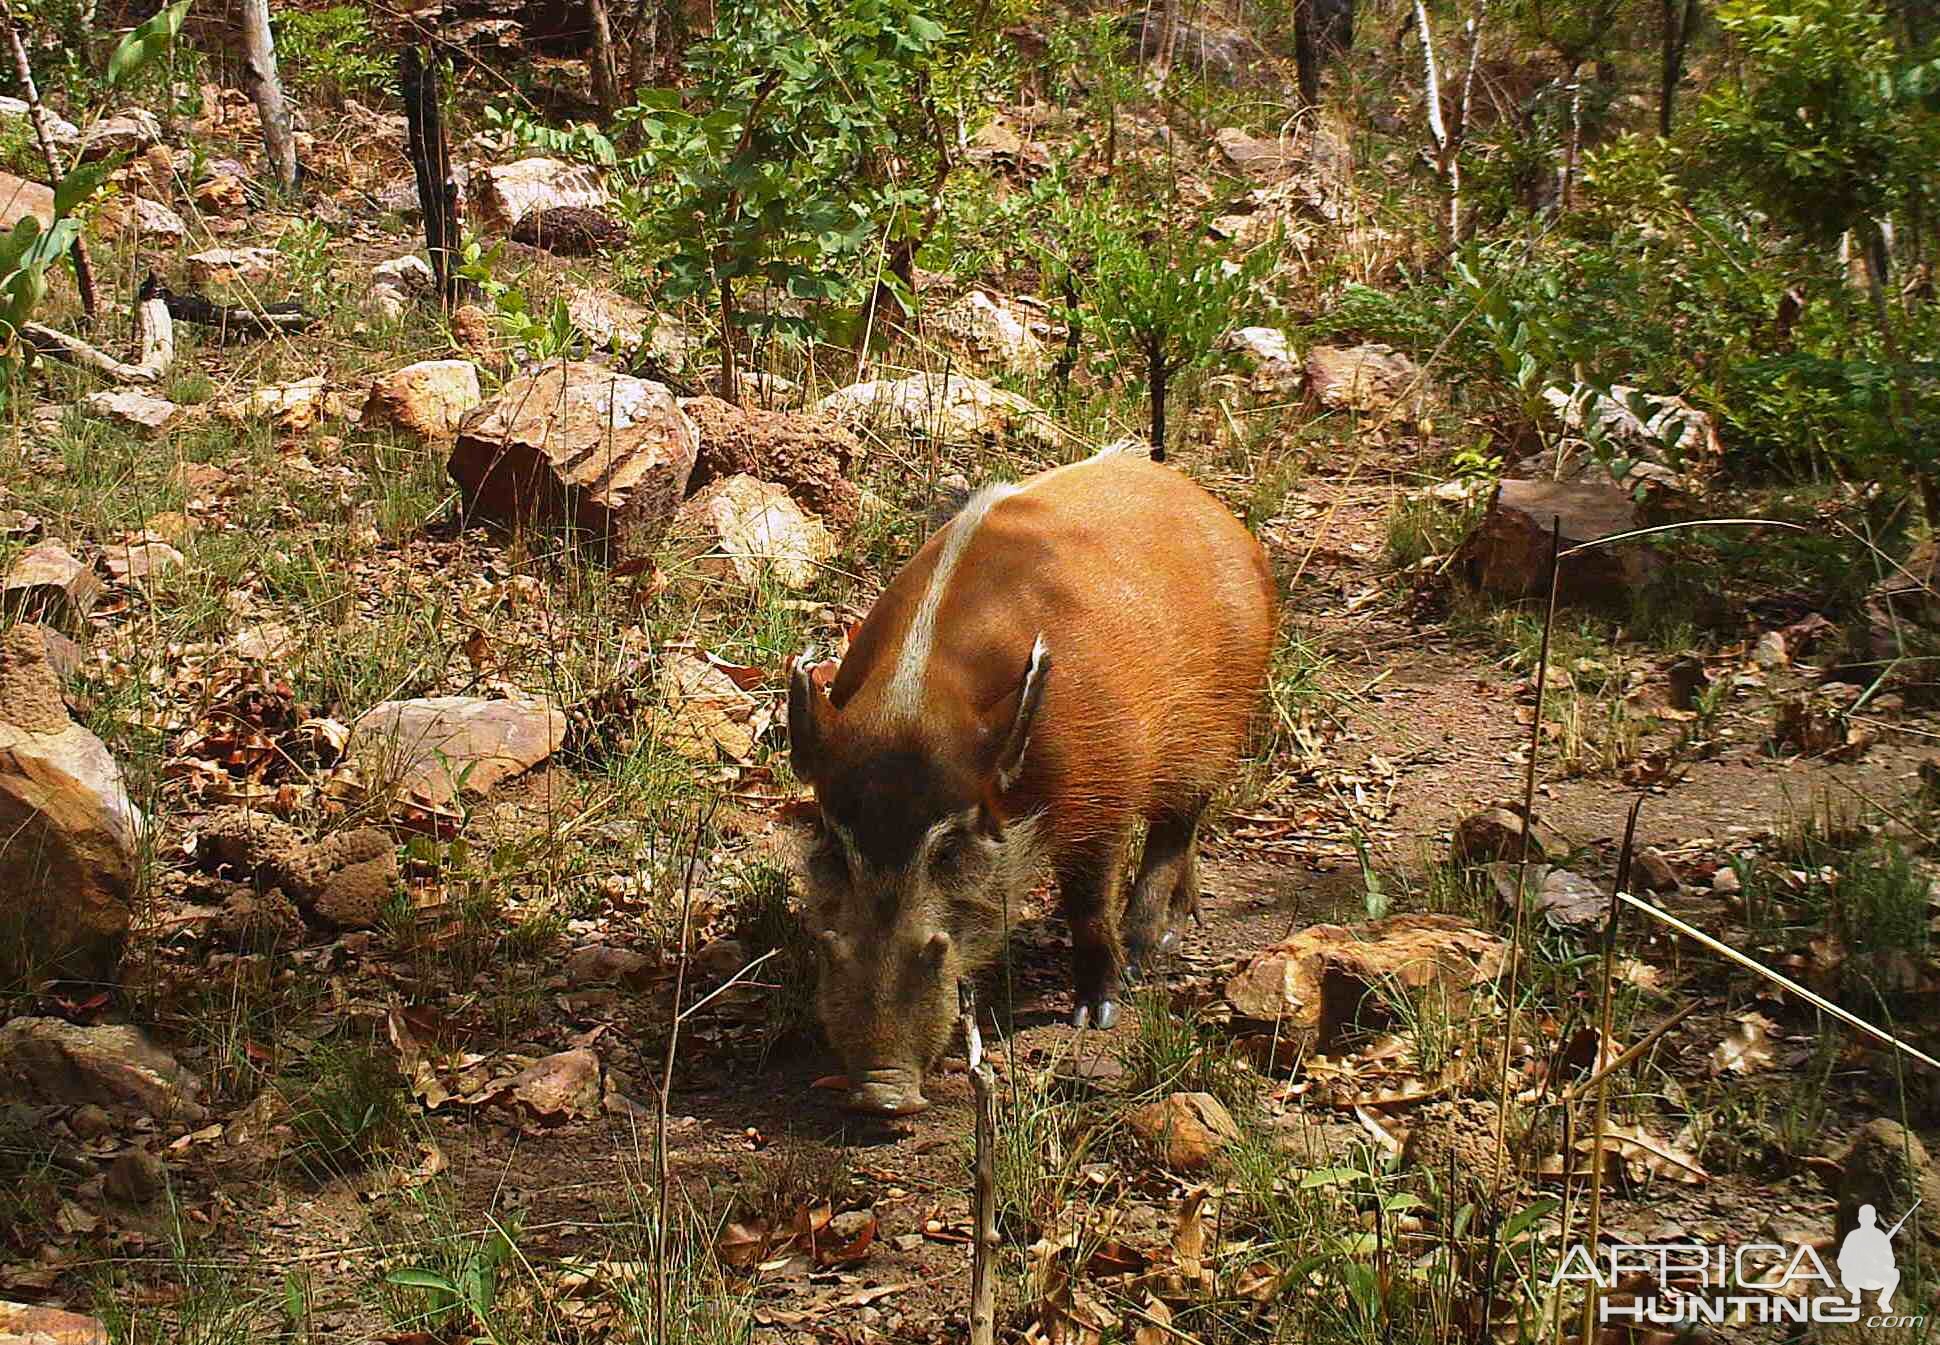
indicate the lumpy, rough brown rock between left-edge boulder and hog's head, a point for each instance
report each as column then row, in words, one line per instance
column 342, row 880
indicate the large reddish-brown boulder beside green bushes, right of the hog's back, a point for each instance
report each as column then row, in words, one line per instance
column 1510, row 550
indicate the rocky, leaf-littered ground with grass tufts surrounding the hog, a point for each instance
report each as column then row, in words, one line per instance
column 391, row 773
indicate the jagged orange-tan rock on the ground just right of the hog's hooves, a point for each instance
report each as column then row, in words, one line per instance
column 1318, row 981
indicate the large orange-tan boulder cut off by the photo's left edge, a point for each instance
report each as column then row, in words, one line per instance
column 69, row 834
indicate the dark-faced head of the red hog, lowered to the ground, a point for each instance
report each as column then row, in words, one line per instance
column 909, row 870
